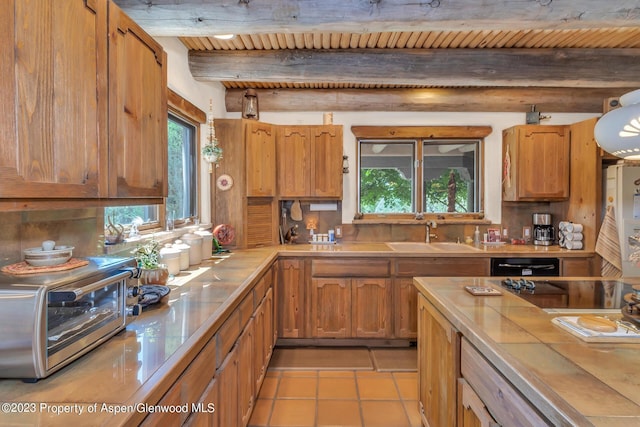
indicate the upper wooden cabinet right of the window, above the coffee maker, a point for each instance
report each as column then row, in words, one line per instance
column 535, row 163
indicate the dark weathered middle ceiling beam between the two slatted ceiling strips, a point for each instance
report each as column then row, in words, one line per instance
column 439, row 67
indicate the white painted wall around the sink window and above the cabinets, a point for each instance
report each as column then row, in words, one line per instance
column 180, row 80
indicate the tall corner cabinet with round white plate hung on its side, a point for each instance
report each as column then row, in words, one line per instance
column 244, row 182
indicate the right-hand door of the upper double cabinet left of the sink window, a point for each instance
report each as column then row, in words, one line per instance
column 326, row 161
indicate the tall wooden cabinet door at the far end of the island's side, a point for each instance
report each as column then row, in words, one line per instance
column 438, row 366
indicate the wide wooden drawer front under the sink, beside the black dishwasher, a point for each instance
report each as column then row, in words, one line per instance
column 443, row 267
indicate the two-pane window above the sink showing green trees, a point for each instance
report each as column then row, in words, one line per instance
column 422, row 175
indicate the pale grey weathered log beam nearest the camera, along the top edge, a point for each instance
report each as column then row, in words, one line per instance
column 208, row 17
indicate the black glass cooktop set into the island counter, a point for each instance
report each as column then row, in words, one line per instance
column 574, row 294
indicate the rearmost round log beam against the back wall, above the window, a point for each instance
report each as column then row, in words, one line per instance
column 557, row 100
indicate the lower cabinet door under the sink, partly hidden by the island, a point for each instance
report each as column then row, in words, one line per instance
column 405, row 303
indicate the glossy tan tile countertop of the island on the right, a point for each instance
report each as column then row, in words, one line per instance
column 569, row 380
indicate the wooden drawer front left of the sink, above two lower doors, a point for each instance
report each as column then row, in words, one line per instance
column 350, row 268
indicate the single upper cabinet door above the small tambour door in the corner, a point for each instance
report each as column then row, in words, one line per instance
column 261, row 159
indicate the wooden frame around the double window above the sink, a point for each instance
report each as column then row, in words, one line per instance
column 419, row 134
